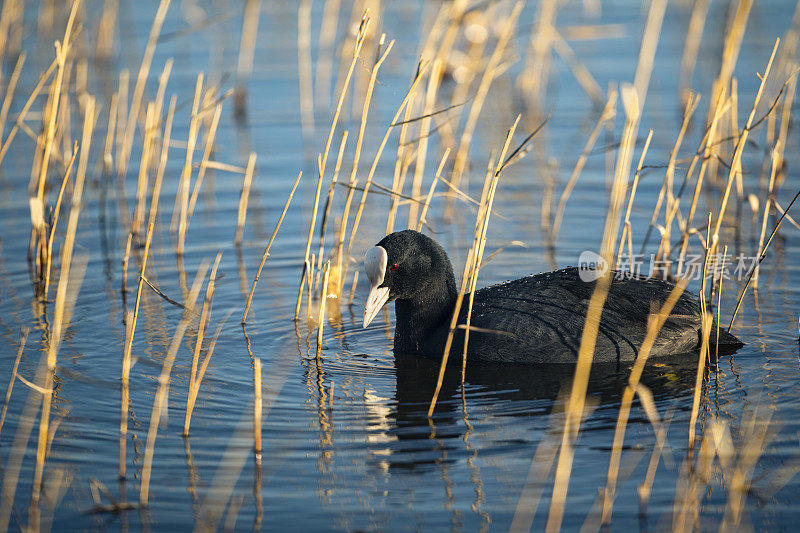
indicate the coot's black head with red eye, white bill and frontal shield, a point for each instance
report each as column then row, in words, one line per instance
column 406, row 265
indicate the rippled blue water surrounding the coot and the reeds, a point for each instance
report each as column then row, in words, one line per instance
column 347, row 445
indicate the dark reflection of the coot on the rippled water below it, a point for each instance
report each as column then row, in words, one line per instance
column 403, row 436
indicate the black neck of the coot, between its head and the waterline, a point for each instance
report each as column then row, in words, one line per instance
column 422, row 319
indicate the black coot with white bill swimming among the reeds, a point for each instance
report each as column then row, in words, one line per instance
column 535, row 319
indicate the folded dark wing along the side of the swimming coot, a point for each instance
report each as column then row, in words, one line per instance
column 540, row 319
